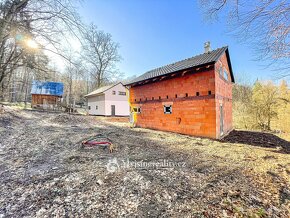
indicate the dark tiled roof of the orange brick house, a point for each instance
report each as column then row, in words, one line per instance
column 199, row 60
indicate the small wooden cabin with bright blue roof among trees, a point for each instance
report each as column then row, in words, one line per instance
column 46, row 95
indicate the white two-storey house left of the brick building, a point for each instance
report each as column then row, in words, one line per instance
column 109, row 100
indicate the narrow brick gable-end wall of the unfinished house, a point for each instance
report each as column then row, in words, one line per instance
column 223, row 96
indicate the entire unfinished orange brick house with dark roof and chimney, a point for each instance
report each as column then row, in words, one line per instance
column 193, row 96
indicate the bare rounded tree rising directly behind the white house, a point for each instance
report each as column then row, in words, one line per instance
column 101, row 54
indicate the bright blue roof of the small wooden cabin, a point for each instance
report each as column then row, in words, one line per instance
column 47, row 88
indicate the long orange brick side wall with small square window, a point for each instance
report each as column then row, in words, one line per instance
column 191, row 115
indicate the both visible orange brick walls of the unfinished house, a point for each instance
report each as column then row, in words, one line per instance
column 192, row 115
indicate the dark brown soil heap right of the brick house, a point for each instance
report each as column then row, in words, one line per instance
column 261, row 139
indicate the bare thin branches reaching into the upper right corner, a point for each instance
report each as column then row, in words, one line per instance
column 263, row 24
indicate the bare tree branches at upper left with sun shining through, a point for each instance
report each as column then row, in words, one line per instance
column 29, row 27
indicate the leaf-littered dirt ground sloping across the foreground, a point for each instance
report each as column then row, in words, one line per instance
column 45, row 172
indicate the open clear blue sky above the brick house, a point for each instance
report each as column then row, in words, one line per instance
column 153, row 33
